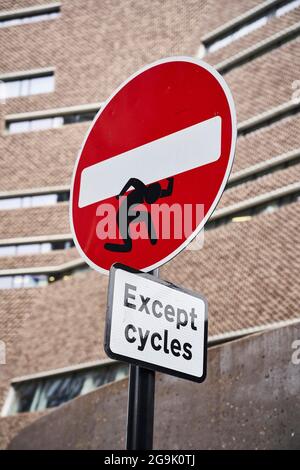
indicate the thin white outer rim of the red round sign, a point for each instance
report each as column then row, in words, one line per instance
column 227, row 92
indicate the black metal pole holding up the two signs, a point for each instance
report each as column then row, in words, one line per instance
column 140, row 418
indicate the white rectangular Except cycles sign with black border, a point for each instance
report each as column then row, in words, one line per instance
column 155, row 324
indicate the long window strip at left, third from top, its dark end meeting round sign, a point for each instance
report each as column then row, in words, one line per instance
column 16, row 127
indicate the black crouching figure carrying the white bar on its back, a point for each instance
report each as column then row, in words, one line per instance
column 141, row 193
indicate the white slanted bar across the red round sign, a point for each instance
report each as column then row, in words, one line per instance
column 168, row 156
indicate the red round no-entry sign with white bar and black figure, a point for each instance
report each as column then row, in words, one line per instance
column 153, row 165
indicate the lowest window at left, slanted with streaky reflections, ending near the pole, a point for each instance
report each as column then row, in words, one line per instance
column 52, row 391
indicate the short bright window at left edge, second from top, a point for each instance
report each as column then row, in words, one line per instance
column 26, row 86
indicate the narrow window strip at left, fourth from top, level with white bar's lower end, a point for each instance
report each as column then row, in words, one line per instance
column 34, row 201
